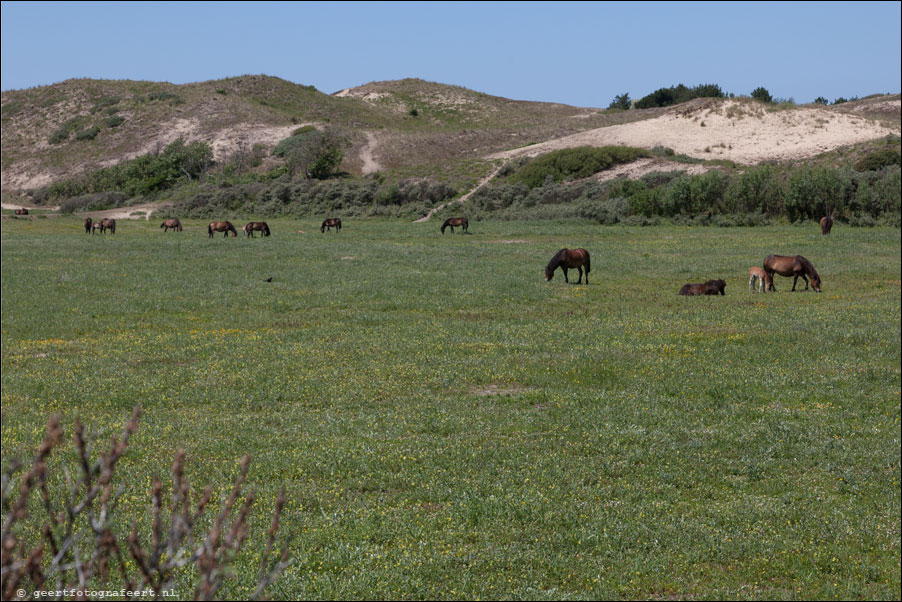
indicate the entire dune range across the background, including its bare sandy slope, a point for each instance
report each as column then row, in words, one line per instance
column 405, row 129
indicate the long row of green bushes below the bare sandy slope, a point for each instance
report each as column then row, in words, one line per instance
column 757, row 195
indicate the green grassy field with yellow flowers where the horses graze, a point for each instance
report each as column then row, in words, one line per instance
column 447, row 425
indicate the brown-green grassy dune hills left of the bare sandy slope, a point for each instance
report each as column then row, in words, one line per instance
column 133, row 118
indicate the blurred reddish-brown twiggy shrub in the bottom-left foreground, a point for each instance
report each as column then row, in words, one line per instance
column 76, row 534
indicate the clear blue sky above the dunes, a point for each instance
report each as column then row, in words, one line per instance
column 575, row 53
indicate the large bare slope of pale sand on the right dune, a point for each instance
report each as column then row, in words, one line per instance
column 739, row 131
